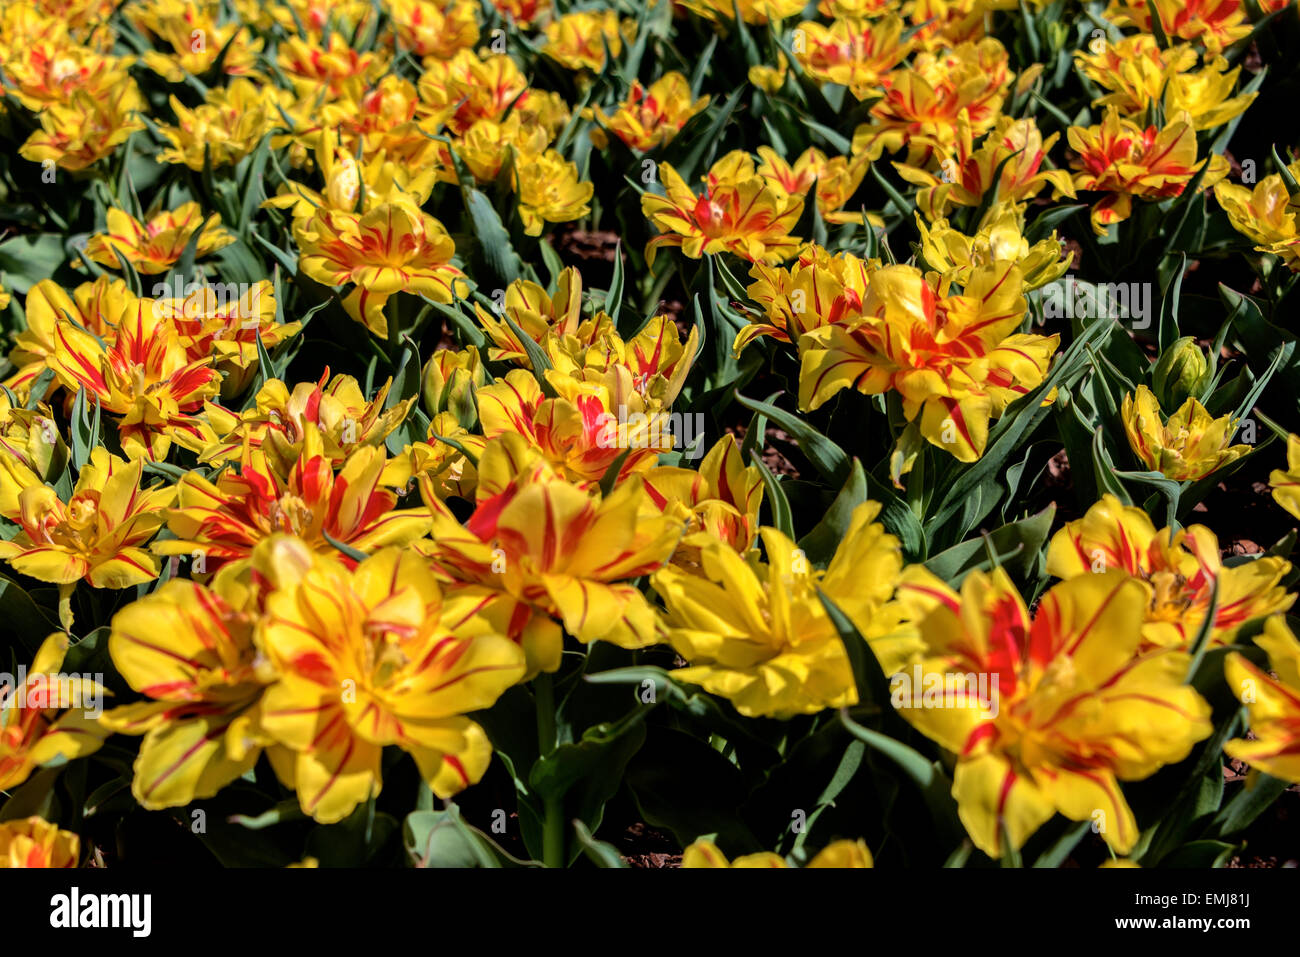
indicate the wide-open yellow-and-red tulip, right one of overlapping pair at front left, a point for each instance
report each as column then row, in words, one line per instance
column 376, row 657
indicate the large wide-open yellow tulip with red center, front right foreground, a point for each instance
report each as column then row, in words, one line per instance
column 1050, row 714
